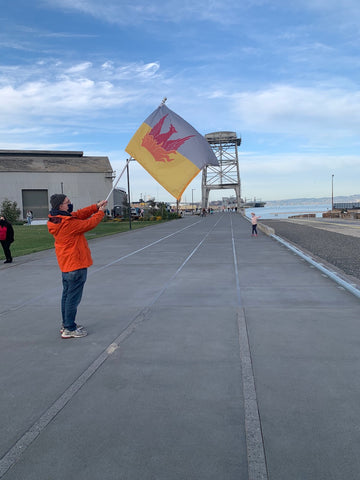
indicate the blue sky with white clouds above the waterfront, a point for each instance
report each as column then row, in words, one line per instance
column 284, row 75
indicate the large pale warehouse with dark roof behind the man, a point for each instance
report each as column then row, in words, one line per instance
column 30, row 177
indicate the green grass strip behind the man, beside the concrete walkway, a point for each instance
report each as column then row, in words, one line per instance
column 35, row 238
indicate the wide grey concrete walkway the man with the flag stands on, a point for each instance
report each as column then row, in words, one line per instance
column 211, row 355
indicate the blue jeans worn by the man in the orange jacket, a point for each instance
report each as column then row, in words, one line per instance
column 73, row 285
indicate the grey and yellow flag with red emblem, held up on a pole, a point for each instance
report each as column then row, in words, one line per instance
column 171, row 150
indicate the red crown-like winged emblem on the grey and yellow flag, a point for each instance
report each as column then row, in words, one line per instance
column 159, row 144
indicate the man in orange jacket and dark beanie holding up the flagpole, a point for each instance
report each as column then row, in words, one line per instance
column 73, row 254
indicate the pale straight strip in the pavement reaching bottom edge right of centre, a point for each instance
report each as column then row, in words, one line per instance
column 257, row 469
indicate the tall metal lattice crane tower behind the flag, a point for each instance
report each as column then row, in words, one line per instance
column 226, row 174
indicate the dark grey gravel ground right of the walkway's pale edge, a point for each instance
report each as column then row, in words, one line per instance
column 342, row 251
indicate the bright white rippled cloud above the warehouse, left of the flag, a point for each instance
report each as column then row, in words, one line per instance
column 55, row 89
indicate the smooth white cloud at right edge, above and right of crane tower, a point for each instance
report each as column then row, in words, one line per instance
column 291, row 110
